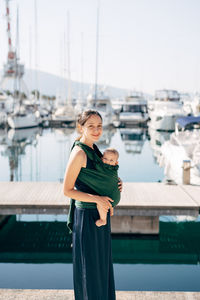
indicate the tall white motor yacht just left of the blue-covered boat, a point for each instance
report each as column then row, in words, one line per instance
column 165, row 109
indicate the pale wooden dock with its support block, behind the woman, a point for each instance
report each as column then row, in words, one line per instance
column 138, row 211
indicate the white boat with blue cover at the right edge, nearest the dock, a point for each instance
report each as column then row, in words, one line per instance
column 182, row 145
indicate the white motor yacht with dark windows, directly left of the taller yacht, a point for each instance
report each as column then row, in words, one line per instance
column 134, row 110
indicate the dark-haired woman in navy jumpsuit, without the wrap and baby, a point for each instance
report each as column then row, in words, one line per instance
column 92, row 262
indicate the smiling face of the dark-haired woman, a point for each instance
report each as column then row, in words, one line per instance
column 92, row 129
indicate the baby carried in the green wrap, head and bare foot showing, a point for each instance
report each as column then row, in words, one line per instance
column 110, row 157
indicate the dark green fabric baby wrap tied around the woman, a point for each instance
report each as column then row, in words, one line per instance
column 103, row 180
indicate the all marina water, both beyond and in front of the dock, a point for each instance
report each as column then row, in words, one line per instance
column 35, row 250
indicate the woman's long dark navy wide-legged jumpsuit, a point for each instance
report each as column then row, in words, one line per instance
column 92, row 260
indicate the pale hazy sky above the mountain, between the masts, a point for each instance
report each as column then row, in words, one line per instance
column 143, row 44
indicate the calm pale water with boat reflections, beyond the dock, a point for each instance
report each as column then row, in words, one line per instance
column 41, row 154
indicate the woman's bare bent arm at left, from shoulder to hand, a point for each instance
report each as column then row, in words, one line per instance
column 76, row 161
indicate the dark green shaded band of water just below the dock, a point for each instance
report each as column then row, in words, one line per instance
column 47, row 241
